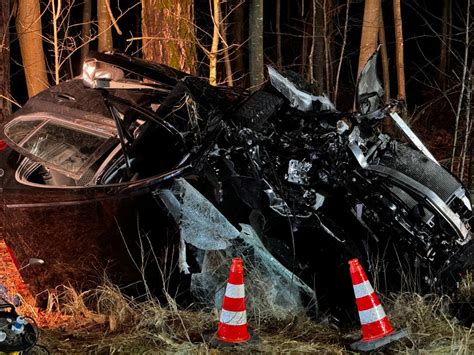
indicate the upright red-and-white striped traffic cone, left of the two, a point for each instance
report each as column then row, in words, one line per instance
column 233, row 319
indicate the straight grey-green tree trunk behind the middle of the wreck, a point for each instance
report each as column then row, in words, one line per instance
column 256, row 44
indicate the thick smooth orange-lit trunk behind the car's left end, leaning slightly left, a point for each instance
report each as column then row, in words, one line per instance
column 28, row 26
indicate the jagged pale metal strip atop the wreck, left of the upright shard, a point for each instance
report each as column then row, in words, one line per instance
column 299, row 99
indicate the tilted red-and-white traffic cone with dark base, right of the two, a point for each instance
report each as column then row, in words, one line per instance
column 375, row 325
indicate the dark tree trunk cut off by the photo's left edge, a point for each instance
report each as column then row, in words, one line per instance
column 5, row 106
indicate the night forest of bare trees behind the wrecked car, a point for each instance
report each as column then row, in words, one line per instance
column 425, row 49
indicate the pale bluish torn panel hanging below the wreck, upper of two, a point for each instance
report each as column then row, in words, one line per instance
column 201, row 224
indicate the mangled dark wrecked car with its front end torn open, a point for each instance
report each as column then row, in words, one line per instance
column 108, row 169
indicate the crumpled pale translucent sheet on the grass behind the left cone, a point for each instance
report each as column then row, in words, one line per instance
column 275, row 291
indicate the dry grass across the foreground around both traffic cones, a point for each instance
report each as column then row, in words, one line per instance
column 107, row 321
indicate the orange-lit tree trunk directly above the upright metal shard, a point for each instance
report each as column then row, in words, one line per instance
column 370, row 32
